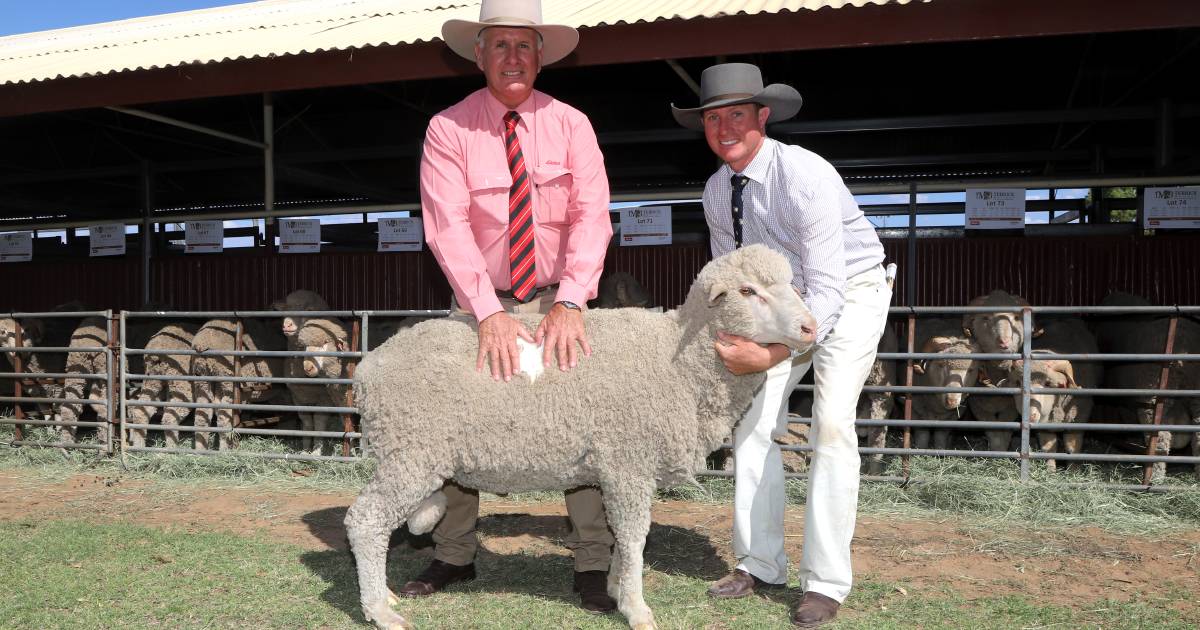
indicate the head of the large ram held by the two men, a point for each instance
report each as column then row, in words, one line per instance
column 753, row 295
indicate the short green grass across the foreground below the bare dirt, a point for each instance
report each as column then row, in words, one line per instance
column 76, row 574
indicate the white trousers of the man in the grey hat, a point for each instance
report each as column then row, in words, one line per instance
column 843, row 362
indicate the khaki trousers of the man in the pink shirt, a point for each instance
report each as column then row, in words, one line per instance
column 590, row 538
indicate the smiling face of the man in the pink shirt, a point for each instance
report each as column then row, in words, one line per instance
column 511, row 59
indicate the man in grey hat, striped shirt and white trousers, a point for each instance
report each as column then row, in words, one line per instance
column 795, row 202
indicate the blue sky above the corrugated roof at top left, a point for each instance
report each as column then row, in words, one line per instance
column 25, row 16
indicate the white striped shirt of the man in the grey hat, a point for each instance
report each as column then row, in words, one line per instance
column 797, row 205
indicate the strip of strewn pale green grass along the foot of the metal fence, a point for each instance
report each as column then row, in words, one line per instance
column 986, row 491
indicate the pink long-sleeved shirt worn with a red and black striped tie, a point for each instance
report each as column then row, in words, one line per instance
column 465, row 199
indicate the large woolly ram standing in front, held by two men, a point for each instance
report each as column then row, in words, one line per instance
column 643, row 412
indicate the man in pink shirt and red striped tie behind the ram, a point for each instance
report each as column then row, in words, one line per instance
column 515, row 202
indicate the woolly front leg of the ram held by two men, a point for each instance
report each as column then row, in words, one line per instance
column 628, row 505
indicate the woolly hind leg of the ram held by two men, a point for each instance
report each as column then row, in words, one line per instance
column 392, row 497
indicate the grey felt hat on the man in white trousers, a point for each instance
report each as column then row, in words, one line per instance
column 728, row 85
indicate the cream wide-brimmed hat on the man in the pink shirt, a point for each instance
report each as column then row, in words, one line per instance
column 557, row 40
